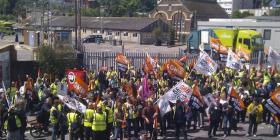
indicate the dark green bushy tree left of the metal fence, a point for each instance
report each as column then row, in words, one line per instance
column 54, row 61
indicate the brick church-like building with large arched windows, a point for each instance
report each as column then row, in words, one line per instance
column 183, row 14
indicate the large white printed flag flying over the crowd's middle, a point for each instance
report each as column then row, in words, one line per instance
column 181, row 91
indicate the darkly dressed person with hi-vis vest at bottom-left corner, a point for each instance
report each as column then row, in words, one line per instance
column 13, row 125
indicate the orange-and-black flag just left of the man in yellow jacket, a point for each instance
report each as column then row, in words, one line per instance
column 236, row 100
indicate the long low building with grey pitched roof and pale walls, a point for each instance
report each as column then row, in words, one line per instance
column 125, row 29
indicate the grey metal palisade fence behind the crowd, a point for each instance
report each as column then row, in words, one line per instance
column 95, row 60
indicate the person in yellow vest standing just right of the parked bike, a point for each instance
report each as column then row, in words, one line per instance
column 54, row 112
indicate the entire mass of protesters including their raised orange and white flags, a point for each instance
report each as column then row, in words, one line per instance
column 130, row 103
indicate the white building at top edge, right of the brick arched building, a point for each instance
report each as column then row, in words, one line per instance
column 234, row 5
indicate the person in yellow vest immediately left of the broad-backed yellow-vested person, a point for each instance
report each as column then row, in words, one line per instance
column 88, row 116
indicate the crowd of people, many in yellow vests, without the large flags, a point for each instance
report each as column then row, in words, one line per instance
column 115, row 109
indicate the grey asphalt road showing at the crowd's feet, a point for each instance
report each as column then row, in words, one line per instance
column 264, row 133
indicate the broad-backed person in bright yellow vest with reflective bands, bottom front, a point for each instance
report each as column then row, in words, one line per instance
column 99, row 124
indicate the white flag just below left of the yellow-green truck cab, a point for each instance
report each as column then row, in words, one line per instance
column 233, row 61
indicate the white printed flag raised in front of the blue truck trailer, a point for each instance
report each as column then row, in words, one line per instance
column 205, row 64
